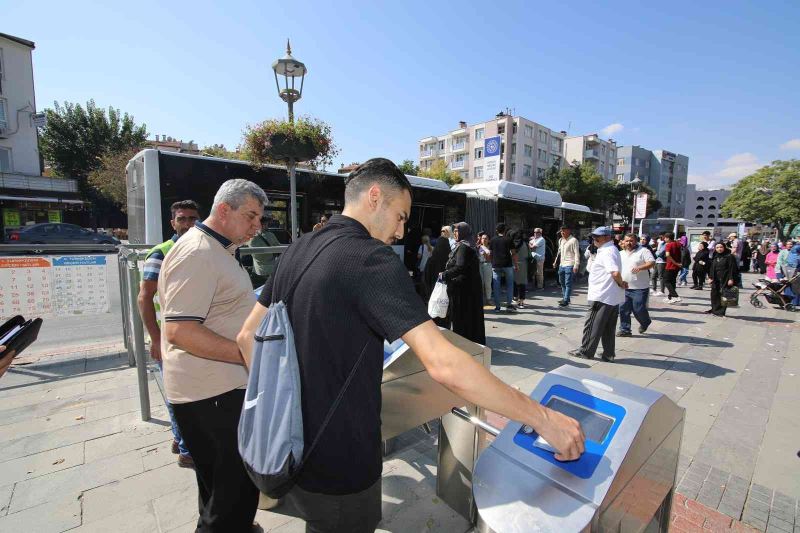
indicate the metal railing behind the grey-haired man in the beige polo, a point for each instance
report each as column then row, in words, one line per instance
column 129, row 256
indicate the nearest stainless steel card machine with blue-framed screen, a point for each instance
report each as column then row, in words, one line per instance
column 623, row 482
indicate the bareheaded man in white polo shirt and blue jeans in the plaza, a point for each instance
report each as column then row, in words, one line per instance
column 636, row 262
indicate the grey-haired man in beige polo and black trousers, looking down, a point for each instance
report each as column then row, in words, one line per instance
column 206, row 296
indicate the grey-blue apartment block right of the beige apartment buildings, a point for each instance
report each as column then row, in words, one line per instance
column 663, row 171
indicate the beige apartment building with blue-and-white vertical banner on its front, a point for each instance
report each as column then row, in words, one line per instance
column 527, row 149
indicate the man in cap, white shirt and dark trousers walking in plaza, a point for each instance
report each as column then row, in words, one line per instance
column 606, row 293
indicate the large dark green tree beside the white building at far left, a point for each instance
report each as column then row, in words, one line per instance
column 76, row 140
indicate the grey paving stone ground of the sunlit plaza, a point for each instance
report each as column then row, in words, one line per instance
column 78, row 457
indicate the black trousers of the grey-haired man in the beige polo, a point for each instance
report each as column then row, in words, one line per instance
column 227, row 498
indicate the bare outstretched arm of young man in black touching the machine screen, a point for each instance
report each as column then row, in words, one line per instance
column 459, row 372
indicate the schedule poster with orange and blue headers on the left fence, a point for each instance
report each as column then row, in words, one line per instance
column 53, row 285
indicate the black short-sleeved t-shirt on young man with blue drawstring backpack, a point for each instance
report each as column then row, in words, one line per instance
column 356, row 294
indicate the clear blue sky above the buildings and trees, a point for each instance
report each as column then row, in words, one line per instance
column 717, row 81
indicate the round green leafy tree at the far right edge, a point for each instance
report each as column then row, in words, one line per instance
column 770, row 195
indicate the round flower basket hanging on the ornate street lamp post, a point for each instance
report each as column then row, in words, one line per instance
column 275, row 141
